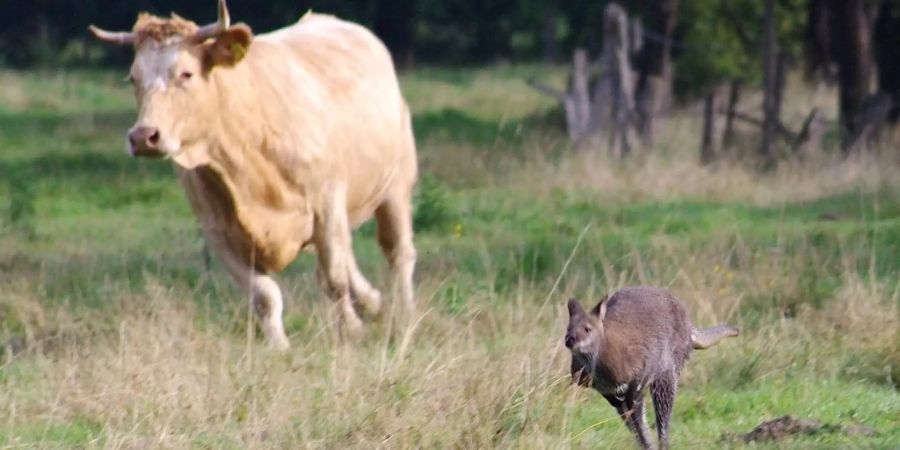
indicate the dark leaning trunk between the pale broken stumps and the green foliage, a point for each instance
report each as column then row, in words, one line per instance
column 654, row 66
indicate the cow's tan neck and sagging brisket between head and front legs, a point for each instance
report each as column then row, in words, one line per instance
column 240, row 181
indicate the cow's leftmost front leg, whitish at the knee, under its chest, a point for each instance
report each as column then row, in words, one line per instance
column 265, row 296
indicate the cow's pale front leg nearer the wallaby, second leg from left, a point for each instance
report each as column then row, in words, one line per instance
column 334, row 248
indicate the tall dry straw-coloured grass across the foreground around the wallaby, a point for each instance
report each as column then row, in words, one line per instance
column 158, row 373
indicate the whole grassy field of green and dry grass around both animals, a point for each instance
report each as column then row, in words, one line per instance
column 117, row 335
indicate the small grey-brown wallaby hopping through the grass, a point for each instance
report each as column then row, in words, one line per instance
column 637, row 337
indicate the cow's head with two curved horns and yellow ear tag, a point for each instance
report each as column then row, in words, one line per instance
column 177, row 98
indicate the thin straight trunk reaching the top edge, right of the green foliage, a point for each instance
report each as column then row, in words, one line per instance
column 770, row 86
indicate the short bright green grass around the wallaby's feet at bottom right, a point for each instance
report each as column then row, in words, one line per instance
column 706, row 415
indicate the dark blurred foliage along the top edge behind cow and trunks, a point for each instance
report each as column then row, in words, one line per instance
column 717, row 39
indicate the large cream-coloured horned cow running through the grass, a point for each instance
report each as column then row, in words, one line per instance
column 283, row 142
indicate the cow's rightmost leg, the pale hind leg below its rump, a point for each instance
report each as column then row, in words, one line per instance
column 395, row 236
